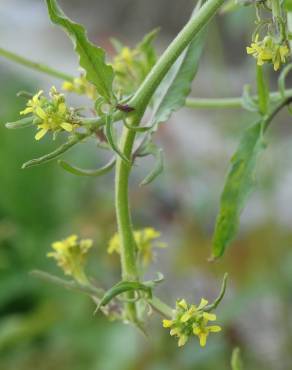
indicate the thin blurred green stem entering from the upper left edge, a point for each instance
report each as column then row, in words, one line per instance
column 36, row 66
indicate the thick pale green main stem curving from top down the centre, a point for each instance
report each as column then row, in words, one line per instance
column 140, row 102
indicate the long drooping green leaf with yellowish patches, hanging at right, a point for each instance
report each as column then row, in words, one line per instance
column 237, row 188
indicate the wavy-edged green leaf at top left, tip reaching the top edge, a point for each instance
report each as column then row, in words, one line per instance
column 91, row 57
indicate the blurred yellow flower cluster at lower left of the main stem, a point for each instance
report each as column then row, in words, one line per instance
column 70, row 255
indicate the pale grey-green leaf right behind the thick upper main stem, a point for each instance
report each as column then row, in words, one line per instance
column 176, row 86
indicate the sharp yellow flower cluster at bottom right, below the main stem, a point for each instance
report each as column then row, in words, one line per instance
column 191, row 320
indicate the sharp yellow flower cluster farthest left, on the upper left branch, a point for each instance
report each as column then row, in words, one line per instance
column 50, row 115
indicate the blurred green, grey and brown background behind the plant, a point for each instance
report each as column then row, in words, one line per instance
column 46, row 328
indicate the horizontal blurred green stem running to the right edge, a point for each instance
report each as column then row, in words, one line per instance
column 227, row 103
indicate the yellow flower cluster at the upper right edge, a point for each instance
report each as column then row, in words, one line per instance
column 268, row 50
